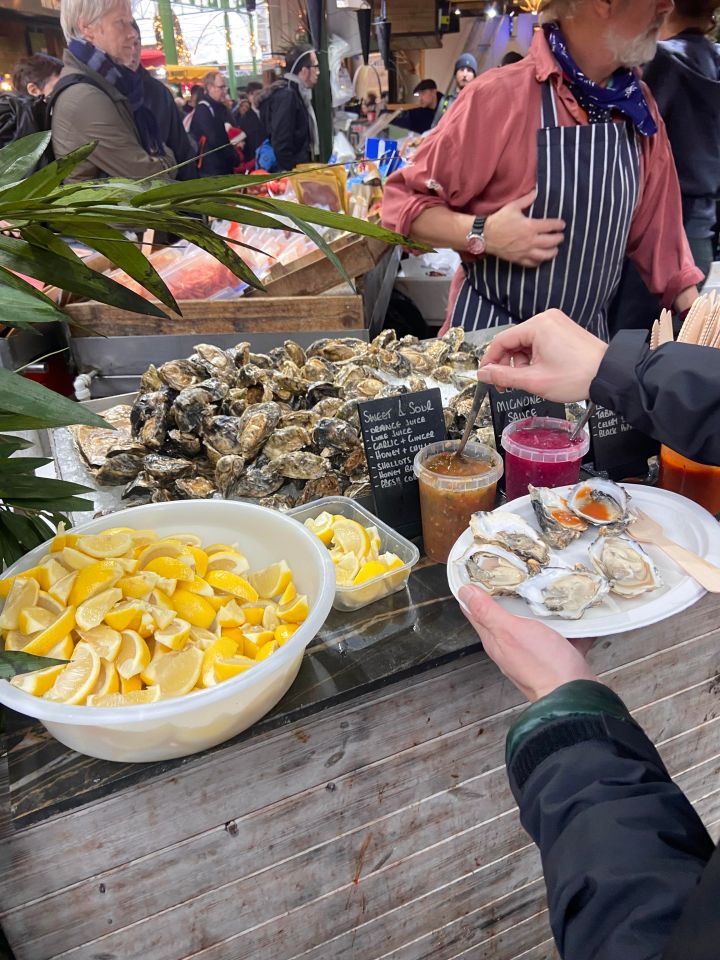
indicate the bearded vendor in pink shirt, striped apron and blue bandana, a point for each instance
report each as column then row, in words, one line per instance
column 560, row 167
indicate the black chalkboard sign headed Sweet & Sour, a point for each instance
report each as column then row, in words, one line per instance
column 393, row 430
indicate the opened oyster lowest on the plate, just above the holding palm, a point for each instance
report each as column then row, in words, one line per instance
column 563, row 592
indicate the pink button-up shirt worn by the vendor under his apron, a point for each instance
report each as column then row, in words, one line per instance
column 483, row 154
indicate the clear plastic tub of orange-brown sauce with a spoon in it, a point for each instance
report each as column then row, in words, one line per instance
column 452, row 489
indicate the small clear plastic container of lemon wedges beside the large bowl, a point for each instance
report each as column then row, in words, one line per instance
column 371, row 560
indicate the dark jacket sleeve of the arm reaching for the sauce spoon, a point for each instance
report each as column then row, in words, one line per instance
column 672, row 393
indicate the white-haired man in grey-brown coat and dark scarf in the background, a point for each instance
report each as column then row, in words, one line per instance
column 100, row 99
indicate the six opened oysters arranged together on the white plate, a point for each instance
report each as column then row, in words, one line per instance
column 510, row 557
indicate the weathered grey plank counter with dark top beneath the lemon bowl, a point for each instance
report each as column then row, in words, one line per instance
column 368, row 816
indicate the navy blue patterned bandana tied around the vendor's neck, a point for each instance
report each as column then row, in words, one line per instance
column 625, row 95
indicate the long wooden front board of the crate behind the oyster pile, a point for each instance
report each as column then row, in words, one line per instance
column 244, row 315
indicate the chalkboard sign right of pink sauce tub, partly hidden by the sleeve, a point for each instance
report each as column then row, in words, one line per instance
column 617, row 448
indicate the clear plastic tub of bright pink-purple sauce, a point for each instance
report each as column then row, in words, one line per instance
column 538, row 451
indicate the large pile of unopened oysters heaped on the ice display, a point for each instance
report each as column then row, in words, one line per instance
column 280, row 428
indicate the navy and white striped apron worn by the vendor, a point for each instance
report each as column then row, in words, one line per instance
column 589, row 177
